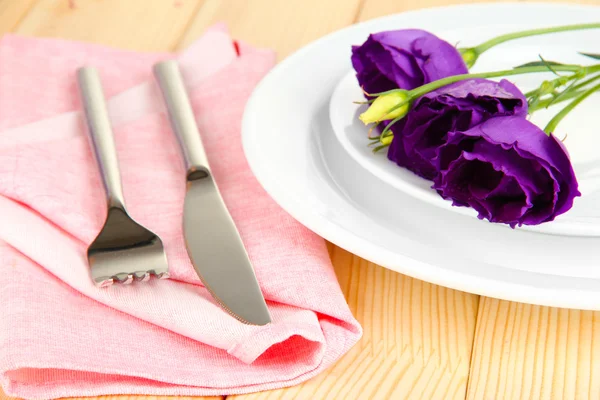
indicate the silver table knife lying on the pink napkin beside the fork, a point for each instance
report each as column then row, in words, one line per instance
column 212, row 239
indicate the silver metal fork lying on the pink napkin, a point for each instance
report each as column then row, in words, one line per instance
column 123, row 251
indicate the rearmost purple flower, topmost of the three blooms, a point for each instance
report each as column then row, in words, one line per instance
column 404, row 59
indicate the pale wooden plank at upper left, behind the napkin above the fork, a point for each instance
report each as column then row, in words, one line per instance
column 143, row 25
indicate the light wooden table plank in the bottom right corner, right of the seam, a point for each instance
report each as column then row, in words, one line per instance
column 525, row 351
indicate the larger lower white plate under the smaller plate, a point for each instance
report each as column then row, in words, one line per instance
column 291, row 148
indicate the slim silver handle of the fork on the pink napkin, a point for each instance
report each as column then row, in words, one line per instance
column 101, row 135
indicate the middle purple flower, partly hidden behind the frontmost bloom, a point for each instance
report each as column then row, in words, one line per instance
column 456, row 107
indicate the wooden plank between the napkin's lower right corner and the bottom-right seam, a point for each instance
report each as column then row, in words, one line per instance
column 416, row 344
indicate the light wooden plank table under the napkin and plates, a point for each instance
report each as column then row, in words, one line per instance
column 420, row 340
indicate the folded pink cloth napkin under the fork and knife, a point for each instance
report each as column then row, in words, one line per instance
column 61, row 336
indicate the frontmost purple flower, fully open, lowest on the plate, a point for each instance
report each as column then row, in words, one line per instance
column 508, row 170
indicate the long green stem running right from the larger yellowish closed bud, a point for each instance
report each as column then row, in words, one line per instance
column 421, row 90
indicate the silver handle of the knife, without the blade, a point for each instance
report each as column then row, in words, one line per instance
column 182, row 118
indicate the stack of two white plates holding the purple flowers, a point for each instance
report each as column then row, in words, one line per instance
column 306, row 147
